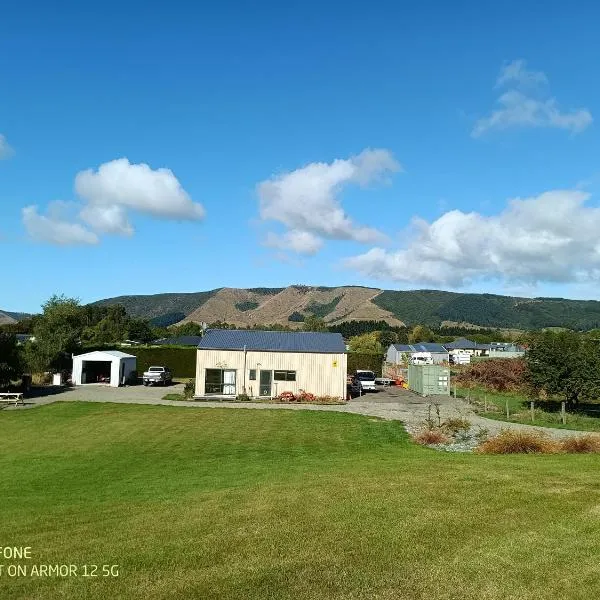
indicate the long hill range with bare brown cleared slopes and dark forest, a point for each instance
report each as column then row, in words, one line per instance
column 291, row 305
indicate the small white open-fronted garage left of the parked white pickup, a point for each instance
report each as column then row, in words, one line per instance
column 108, row 367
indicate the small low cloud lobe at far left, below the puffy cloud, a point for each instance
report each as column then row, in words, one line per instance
column 52, row 230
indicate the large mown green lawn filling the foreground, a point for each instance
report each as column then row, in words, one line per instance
column 267, row 504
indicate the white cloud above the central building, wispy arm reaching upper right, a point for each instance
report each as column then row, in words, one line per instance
column 306, row 200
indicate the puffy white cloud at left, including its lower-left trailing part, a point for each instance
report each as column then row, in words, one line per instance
column 107, row 195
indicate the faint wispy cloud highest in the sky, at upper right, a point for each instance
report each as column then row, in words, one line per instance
column 526, row 104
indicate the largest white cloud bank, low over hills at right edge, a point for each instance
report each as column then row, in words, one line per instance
column 548, row 238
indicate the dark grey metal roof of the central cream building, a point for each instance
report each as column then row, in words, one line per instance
column 274, row 341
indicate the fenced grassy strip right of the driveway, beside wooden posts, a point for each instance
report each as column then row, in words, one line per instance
column 519, row 410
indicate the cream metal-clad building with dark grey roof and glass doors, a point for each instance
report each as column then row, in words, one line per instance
column 266, row 363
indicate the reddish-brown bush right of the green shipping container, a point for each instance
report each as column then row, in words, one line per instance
column 500, row 374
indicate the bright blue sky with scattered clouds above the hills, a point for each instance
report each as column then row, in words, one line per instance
column 151, row 148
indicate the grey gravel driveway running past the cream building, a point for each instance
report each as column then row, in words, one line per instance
column 388, row 403
